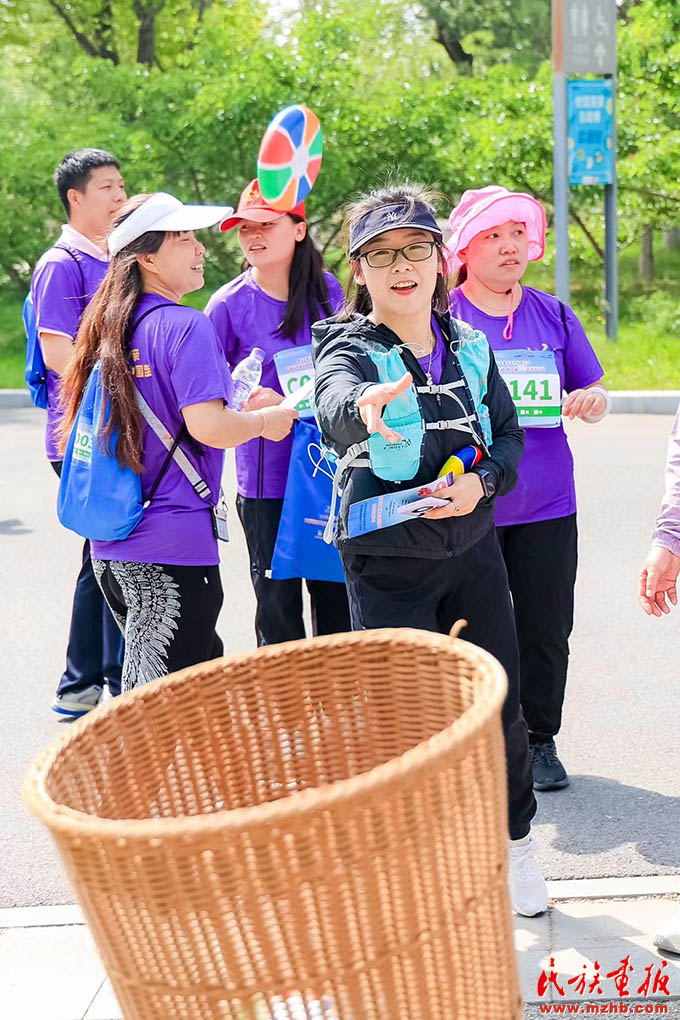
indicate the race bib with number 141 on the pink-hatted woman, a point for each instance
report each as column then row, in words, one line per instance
column 534, row 381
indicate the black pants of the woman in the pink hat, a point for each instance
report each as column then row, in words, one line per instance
column 542, row 563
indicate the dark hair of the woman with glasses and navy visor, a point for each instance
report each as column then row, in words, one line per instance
column 357, row 298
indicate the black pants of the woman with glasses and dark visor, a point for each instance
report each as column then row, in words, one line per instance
column 398, row 591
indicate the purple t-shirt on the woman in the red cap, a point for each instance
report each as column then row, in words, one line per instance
column 244, row 318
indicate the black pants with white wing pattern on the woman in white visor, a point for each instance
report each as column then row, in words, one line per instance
column 168, row 614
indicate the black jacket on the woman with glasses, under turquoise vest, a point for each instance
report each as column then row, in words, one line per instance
column 344, row 371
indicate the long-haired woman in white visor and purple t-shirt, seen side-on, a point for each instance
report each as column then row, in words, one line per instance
column 164, row 372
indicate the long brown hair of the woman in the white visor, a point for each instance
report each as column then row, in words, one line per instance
column 103, row 336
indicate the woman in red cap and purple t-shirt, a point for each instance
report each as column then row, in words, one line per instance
column 273, row 305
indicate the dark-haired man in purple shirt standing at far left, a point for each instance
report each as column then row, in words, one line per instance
column 65, row 280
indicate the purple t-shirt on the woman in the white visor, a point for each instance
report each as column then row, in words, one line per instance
column 177, row 361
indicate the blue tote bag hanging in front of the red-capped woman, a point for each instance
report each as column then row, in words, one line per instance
column 300, row 549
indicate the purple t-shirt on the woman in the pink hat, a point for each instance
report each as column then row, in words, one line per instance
column 546, row 486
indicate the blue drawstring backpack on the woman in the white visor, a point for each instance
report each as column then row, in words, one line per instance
column 98, row 498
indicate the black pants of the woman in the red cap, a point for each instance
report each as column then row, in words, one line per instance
column 279, row 615
